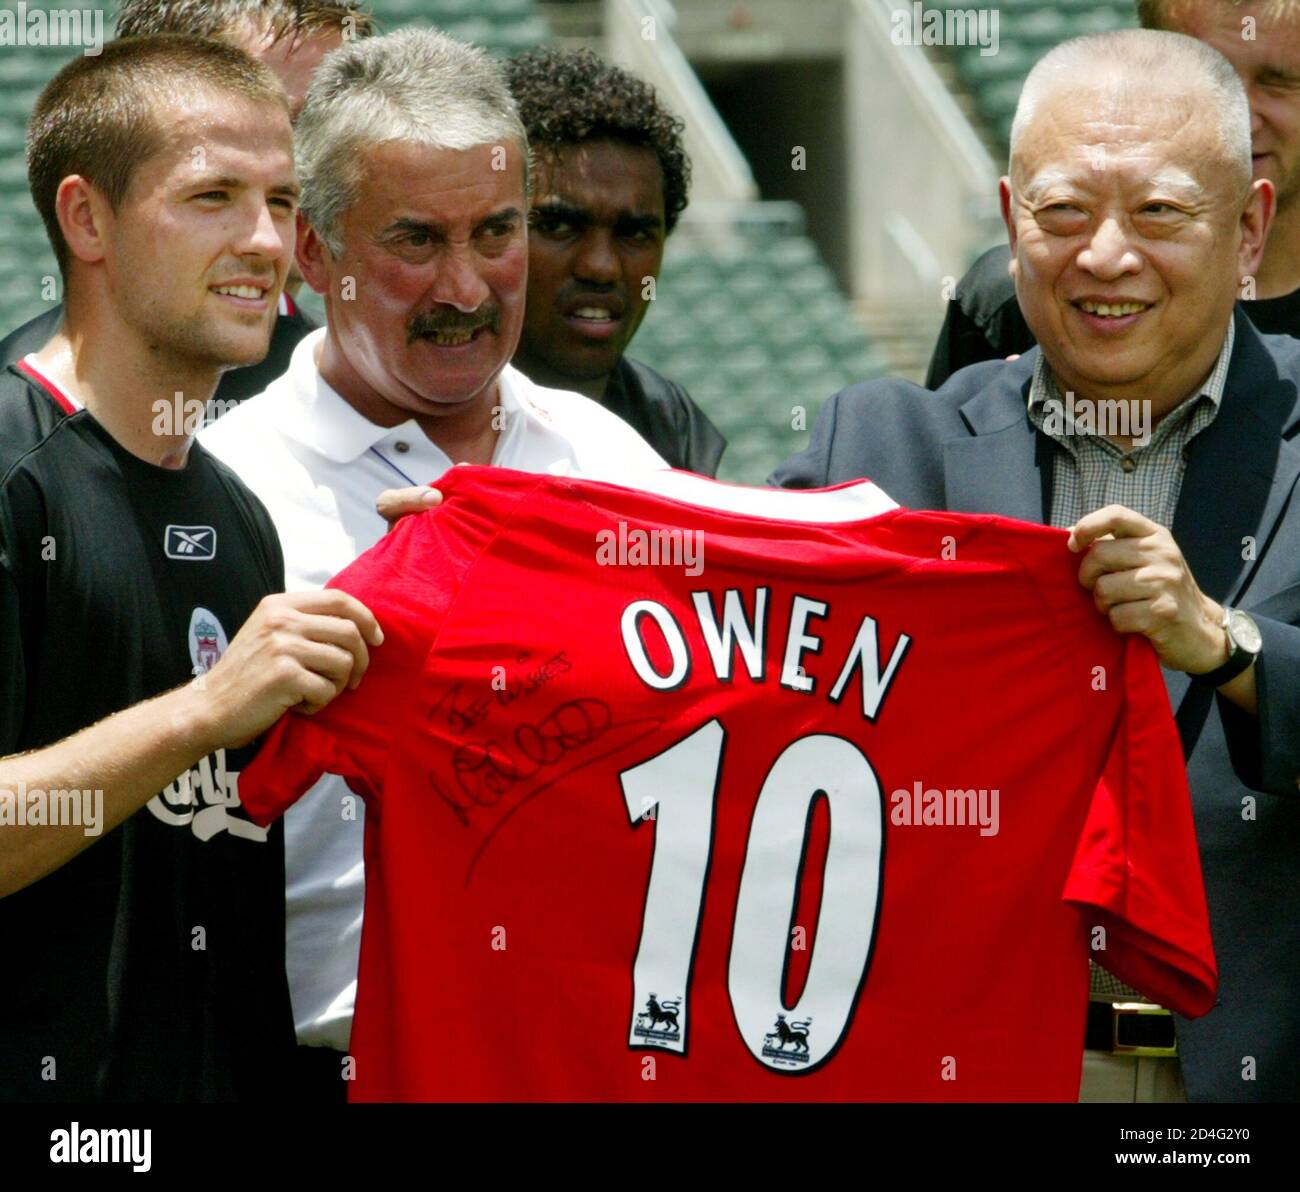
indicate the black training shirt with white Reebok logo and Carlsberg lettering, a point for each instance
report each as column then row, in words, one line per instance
column 153, row 965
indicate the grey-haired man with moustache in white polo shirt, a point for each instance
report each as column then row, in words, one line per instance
column 414, row 227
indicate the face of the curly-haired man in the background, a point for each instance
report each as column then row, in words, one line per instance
column 597, row 233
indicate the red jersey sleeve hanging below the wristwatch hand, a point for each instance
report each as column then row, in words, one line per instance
column 1137, row 870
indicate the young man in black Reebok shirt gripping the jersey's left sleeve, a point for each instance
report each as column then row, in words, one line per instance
column 137, row 574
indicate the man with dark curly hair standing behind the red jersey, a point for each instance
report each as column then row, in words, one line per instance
column 612, row 181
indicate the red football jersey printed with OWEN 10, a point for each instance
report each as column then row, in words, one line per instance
column 774, row 801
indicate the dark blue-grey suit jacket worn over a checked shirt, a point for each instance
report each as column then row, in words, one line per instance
column 970, row 448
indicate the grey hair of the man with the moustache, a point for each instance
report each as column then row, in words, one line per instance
column 415, row 85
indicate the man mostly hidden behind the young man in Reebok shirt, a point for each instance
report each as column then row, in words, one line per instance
column 291, row 37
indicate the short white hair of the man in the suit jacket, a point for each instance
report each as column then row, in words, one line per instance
column 1147, row 54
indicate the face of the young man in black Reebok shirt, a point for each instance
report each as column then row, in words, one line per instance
column 198, row 252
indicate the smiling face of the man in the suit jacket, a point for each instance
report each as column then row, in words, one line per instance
column 1130, row 235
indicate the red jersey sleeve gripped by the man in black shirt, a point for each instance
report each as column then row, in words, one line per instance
column 409, row 580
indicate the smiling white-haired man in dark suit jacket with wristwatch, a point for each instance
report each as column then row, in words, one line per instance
column 1162, row 428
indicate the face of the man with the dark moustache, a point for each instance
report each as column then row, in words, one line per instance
column 436, row 261
